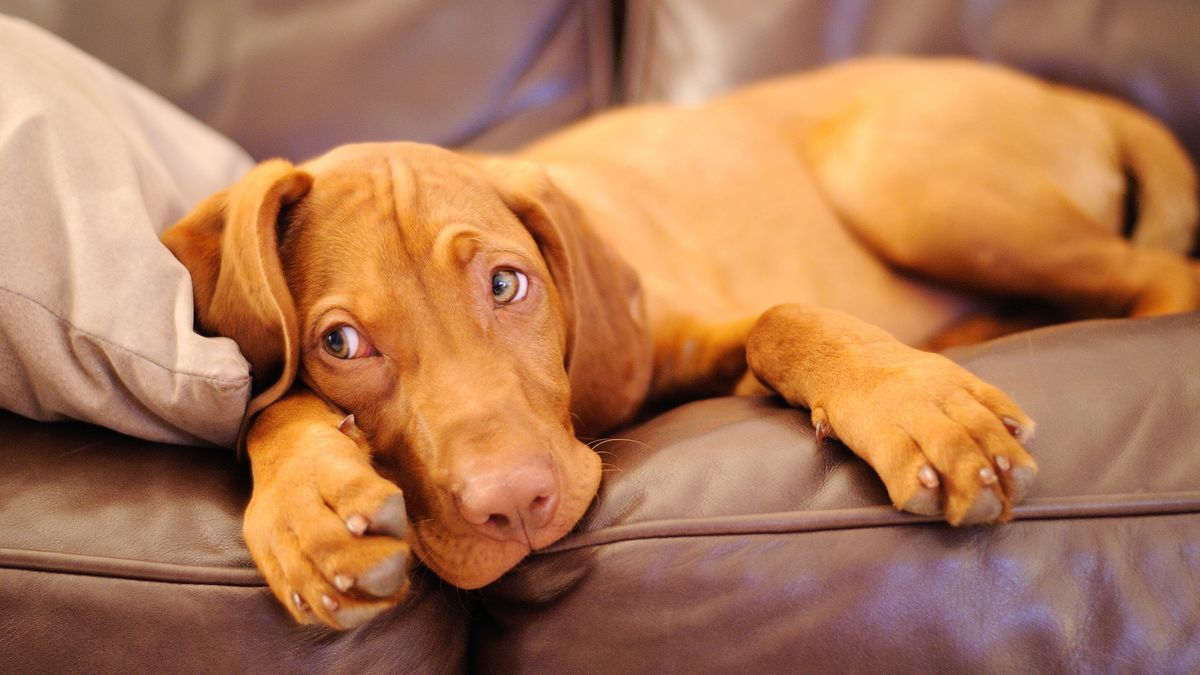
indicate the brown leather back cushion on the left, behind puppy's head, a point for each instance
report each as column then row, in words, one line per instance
column 296, row 79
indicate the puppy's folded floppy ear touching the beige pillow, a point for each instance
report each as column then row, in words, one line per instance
column 230, row 244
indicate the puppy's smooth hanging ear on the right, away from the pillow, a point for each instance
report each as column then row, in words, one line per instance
column 609, row 354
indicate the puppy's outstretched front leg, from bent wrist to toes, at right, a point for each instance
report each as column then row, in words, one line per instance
column 943, row 440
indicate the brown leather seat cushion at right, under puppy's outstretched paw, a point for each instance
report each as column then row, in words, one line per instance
column 724, row 540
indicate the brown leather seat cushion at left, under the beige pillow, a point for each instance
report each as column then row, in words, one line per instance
column 119, row 555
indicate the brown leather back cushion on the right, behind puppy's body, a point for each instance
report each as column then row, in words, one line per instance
column 1144, row 52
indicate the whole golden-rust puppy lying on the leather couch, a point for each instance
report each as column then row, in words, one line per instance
column 476, row 315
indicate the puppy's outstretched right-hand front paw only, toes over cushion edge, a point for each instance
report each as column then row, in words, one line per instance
column 944, row 441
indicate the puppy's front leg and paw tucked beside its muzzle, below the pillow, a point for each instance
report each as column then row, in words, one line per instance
column 326, row 530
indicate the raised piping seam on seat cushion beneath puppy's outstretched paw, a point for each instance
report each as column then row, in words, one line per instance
column 784, row 523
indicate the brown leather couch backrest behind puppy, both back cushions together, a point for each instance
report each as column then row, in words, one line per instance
column 295, row 79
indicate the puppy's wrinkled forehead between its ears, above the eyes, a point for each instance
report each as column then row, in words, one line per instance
column 389, row 210
